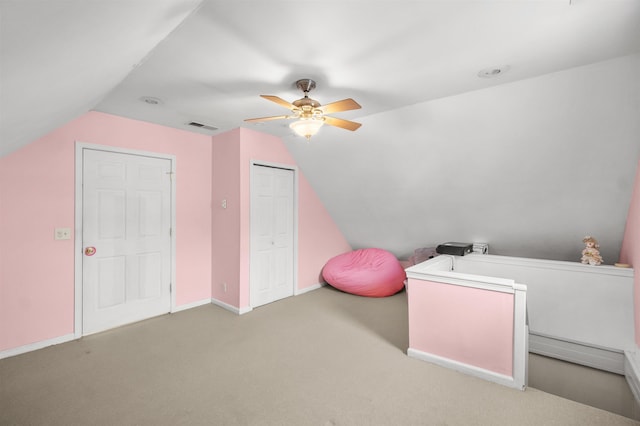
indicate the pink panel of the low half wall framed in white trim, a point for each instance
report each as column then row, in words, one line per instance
column 468, row 325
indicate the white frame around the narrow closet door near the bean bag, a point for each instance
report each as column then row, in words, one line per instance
column 294, row 169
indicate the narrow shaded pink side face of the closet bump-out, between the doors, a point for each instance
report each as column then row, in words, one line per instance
column 226, row 221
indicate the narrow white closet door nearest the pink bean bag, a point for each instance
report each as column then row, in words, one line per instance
column 272, row 234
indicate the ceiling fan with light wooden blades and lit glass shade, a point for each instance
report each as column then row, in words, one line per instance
column 309, row 114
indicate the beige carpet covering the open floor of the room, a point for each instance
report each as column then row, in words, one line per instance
column 323, row 358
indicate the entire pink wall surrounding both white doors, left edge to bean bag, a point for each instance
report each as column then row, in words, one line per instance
column 37, row 190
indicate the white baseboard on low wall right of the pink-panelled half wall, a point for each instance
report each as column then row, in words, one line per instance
column 578, row 353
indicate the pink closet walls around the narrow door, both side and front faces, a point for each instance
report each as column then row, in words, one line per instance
column 318, row 237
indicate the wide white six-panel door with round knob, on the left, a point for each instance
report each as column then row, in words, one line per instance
column 126, row 226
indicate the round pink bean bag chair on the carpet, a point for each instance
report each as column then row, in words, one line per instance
column 368, row 272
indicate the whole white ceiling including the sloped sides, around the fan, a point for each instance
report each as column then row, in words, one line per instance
column 529, row 161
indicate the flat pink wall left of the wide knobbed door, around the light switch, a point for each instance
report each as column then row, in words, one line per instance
column 36, row 272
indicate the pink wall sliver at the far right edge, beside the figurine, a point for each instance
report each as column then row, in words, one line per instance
column 630, row 250
